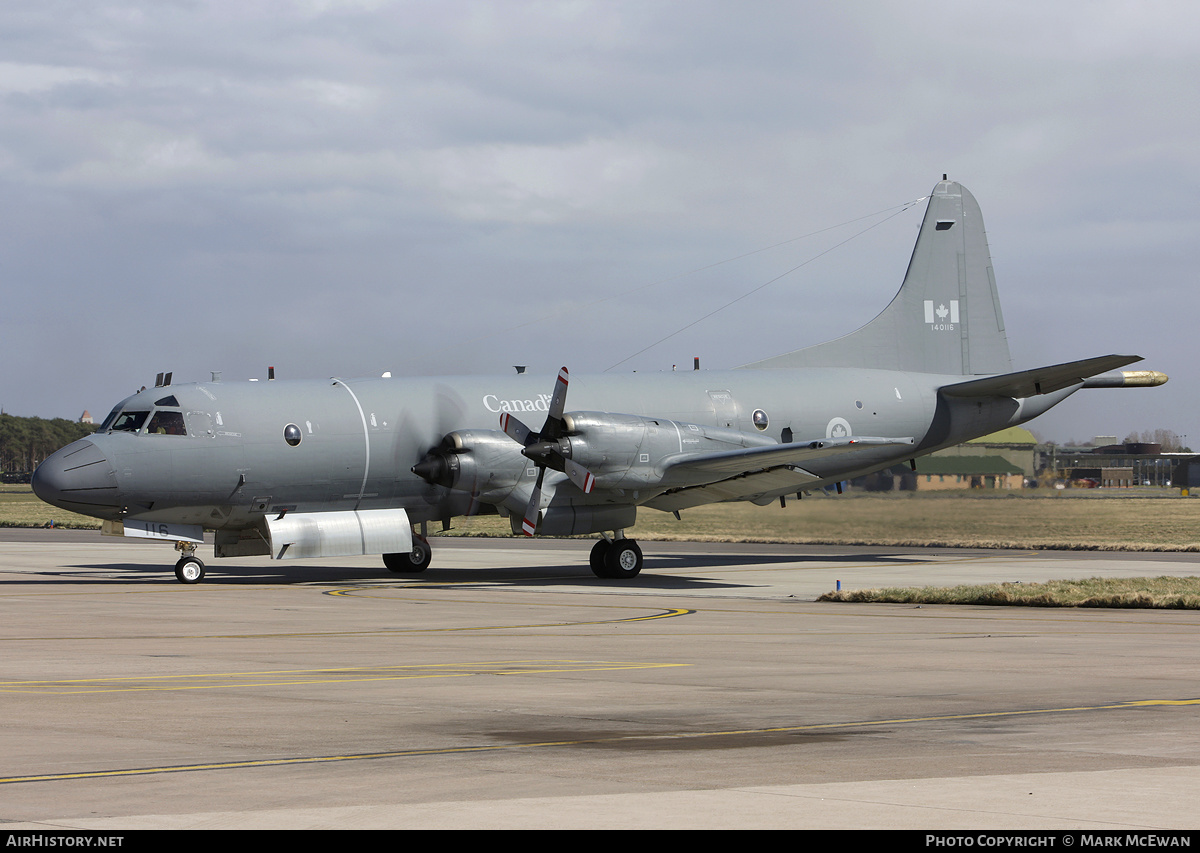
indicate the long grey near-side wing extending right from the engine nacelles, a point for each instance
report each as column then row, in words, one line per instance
column 747, row 473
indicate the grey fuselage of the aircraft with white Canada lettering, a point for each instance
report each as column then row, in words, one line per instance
column 233, row 464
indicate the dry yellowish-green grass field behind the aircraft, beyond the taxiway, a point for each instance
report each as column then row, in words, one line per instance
column 1096, row 520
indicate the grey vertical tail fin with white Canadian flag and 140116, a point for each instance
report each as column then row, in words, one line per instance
column 946, row 317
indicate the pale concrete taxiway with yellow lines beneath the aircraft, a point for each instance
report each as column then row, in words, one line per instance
column 509, row 688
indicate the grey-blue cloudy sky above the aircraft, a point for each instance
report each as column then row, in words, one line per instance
column 344, row 189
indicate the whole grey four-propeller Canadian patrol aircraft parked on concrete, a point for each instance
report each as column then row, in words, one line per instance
column 341, row 467
